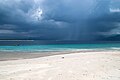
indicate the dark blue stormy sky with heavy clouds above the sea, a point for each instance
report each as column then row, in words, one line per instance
column 74, row 20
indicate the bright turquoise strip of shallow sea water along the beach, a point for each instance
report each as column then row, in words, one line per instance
column 62, row 47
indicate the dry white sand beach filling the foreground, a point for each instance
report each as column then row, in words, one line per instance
column 76, row 66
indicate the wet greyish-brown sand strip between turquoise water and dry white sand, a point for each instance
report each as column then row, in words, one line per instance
column 6, row 56
